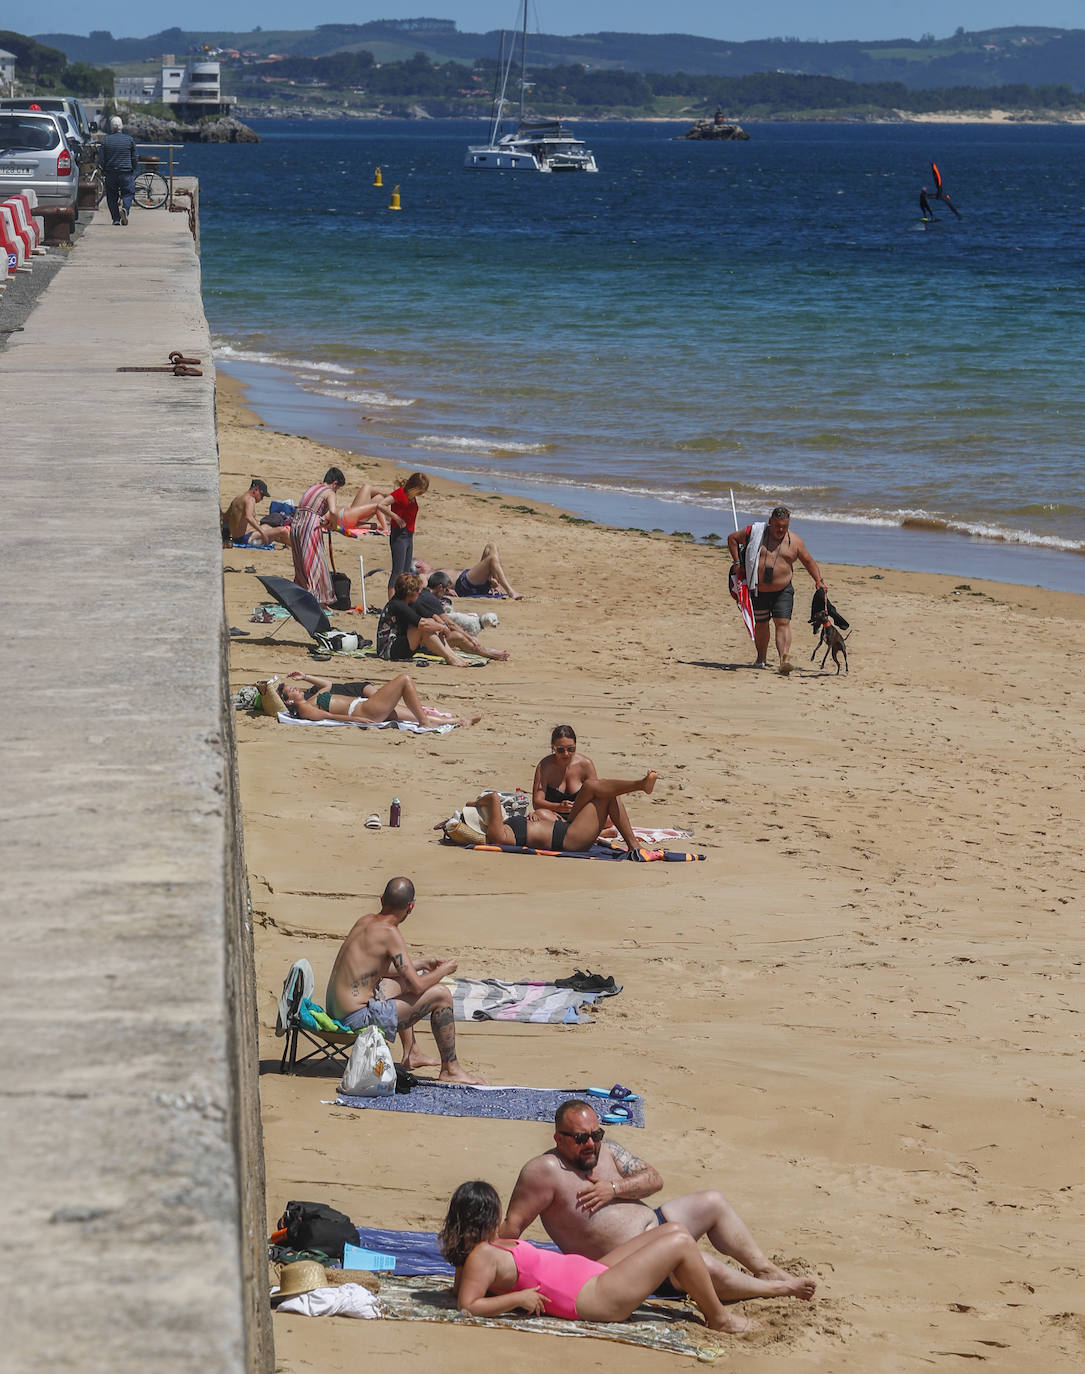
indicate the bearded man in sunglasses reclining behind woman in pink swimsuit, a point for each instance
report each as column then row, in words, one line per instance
column 589, row 1196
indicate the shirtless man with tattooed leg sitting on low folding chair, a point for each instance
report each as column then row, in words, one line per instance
column 376, row 951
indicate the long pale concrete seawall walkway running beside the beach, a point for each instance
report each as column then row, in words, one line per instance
column 130, row 1115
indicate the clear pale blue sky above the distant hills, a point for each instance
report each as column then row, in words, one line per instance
column 705, row 19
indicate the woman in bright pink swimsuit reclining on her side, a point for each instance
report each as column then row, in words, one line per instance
column 495, row 1277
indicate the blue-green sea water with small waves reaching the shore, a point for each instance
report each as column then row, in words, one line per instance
column 771, row 318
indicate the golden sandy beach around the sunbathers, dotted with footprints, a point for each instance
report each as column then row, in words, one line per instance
column 856, row 1019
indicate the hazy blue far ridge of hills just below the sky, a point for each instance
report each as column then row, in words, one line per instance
column 1023, row 56
